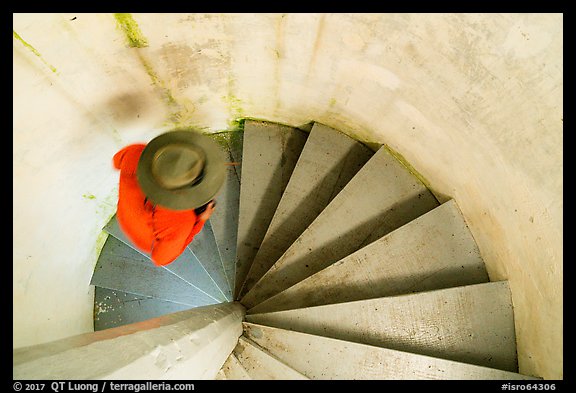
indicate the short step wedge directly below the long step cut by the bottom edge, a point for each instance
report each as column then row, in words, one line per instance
column 260, row 365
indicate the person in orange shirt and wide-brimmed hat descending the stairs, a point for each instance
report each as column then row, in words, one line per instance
column 166, row 191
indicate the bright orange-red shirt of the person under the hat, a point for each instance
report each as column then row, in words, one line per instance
column 160, row 232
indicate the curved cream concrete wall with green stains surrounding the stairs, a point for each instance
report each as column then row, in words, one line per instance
column 473, row 102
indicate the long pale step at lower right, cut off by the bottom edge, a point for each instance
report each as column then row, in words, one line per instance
column 319, row 357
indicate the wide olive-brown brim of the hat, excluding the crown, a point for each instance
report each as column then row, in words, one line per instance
column 188, row 197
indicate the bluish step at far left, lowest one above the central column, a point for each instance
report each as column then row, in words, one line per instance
column 113, row 308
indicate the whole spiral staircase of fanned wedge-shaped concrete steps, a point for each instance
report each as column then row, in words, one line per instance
column 347, row 265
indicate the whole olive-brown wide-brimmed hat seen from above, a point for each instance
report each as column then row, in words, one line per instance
column 181, row 170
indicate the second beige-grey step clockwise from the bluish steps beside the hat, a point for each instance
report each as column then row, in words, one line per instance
column 327, row 163
